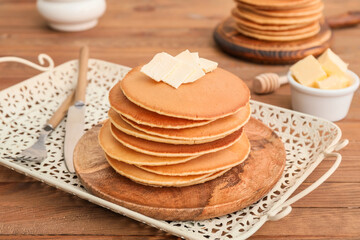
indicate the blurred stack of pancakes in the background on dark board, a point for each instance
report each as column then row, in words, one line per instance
column 278, row 20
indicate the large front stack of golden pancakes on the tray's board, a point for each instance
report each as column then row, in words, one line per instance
column 161, row 136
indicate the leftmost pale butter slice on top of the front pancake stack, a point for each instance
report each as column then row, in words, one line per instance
column 160, row 67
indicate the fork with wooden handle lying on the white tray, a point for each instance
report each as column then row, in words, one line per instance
column 37, row 152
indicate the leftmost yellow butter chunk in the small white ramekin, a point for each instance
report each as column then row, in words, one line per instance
column 308, row 71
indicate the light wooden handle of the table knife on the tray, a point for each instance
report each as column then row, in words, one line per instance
column 82, row 78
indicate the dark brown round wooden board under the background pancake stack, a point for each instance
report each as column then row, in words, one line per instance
column 269, row 52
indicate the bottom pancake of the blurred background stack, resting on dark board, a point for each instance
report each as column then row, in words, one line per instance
column 277, row 38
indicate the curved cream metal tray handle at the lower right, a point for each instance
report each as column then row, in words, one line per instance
column 285, row 208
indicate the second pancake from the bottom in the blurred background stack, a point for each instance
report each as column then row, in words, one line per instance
column 309, row 28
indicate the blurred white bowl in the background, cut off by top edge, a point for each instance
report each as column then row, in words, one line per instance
column 71, row 15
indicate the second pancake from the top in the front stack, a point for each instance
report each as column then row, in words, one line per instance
column 122, row 105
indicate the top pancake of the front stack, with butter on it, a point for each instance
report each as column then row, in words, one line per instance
column 217, row 94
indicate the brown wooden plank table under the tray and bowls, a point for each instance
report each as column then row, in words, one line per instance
column 130, row 33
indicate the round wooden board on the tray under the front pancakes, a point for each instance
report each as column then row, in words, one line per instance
column 236, row 189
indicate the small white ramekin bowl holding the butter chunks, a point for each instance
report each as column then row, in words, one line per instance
column 332, row 105
